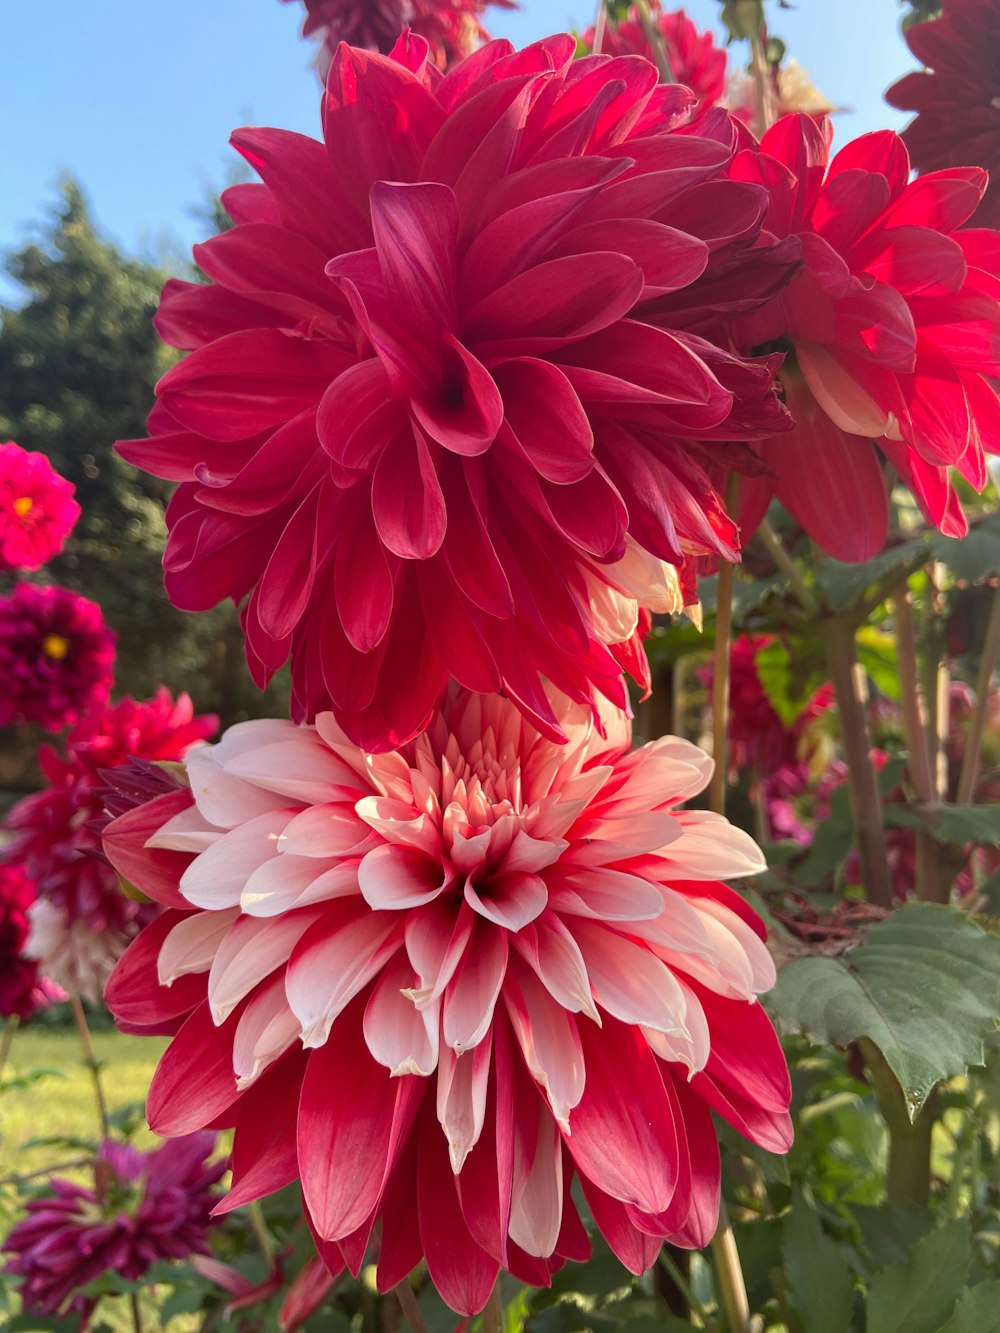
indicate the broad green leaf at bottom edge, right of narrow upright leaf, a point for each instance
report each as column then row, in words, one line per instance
column 918, row 1295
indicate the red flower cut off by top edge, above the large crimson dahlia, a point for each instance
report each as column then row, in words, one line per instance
column 451, row 29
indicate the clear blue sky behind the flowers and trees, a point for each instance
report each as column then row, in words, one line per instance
column 138, row 101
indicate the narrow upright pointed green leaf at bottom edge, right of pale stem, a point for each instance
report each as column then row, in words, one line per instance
column 819, row 1279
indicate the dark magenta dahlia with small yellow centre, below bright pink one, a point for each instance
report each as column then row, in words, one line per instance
column 57, row 657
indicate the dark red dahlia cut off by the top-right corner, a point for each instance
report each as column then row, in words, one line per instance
column 958, row 97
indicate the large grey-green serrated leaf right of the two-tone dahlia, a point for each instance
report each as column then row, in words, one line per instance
column 923, row 986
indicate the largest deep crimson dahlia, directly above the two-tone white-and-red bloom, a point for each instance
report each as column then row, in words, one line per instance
column 426, row 425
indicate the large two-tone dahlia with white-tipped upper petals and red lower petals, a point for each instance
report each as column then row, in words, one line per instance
column 419, row 982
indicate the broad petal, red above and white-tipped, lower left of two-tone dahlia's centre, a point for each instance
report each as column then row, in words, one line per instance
column 335, row 959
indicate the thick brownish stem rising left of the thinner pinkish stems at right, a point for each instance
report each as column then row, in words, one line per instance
column 863, row 790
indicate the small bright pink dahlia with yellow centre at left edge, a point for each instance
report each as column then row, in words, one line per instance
column 37, row 509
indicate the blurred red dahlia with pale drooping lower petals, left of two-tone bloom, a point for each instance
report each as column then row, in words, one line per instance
column 82, row 922
